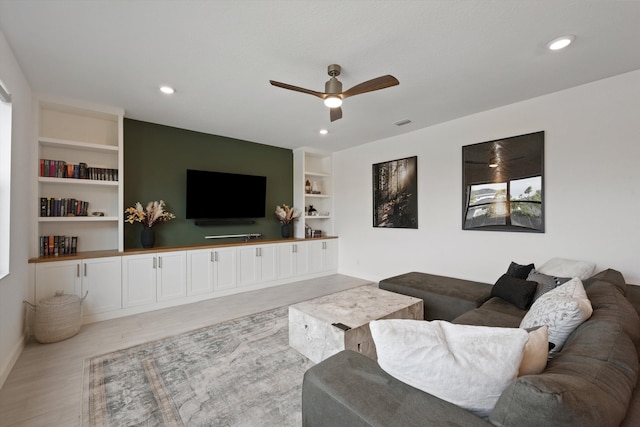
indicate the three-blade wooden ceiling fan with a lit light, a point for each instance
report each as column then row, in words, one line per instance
column 333, row 94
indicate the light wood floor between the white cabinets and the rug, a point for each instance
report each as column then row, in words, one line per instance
column 45, row 386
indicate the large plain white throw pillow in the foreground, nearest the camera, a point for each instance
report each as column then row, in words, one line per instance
column 469, row 366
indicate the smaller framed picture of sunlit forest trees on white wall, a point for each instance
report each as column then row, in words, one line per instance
column 395, row 193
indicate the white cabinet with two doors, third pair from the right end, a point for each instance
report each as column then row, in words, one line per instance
column 257, row 264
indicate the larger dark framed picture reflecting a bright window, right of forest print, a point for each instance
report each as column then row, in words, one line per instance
column 503, row 184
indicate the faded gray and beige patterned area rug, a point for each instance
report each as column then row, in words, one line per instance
column 237, row 373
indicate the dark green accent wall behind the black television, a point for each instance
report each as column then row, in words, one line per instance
column 156, row 158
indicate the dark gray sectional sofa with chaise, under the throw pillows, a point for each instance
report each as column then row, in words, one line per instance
column 590, row 382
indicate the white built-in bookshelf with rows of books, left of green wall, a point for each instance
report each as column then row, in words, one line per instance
column 73, row 136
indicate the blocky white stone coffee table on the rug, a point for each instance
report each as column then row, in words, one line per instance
column 323, row 326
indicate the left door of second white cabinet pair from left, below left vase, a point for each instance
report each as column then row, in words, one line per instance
column 138, row 280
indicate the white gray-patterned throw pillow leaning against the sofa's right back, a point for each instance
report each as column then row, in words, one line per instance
column 562, row 309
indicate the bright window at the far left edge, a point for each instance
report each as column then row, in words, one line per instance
column 5, row 178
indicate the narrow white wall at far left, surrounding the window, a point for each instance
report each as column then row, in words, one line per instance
column 13, row 288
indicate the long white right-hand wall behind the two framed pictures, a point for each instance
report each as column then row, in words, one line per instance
column 592, row 181
